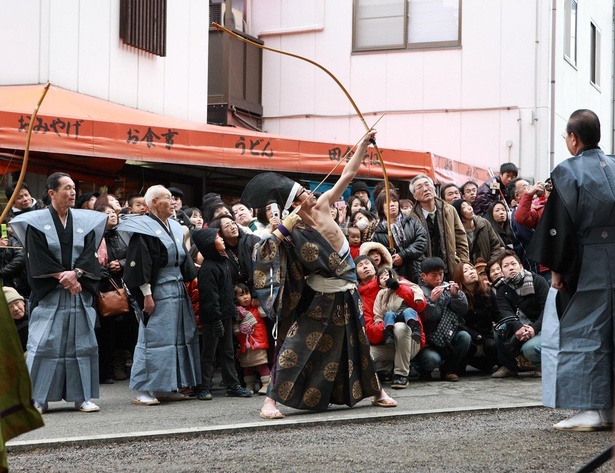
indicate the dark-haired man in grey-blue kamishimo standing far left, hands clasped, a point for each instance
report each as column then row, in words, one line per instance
column 63, row 272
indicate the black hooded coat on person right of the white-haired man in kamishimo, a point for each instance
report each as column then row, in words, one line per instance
column 216, row 294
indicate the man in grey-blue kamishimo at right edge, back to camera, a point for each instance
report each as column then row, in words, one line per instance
column 576, row 239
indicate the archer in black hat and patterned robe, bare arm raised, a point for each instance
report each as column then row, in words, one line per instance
column 305, row 271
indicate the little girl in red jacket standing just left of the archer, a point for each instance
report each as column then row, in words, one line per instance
column 251, row 333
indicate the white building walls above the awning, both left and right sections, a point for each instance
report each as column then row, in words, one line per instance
column 479, row 81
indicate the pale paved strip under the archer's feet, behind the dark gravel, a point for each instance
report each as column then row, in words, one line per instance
column 120, row 419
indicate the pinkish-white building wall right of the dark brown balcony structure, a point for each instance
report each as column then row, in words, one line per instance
column 479, row 81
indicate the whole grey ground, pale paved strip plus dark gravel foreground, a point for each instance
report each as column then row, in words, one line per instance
column 477, row 424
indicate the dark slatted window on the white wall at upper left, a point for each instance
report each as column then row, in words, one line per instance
column 143, row 24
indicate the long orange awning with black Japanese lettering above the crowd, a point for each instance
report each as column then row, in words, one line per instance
column 74, row 124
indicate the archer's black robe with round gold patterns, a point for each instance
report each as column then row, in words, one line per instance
column 325, row 357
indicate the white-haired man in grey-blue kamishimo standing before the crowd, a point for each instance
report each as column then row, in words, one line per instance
column 166, row 357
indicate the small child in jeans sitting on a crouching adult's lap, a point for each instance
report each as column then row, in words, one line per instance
column 398, row 301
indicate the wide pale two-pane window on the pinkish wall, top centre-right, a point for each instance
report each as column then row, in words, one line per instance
column 400, row 24
